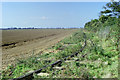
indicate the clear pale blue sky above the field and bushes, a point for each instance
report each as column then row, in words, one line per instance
column 49, row 14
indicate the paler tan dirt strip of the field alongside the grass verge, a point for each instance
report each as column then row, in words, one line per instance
column 11, row 55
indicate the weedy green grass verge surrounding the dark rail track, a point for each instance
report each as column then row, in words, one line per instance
column 101, row 58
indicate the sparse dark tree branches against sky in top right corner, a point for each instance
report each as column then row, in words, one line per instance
column 112, row 9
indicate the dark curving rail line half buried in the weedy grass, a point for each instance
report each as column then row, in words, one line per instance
column 30, row 75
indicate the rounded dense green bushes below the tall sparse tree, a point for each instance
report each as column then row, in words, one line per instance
column 103, row 21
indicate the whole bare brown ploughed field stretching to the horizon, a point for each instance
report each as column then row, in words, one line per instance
column 17, row 44
